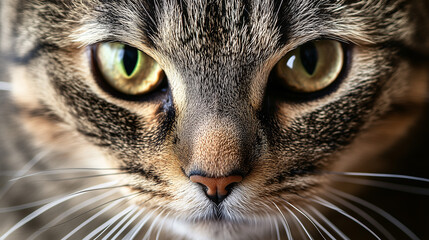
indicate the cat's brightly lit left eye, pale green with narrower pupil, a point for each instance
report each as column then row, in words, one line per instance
column 127, row 69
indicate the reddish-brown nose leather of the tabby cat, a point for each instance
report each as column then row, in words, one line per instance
column 217, row 189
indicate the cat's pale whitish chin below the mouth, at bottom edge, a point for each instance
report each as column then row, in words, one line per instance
column 220, row 230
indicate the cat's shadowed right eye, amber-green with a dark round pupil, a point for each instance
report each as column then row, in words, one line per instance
column 311, row 67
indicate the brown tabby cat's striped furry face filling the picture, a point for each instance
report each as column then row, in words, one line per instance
column 220, row 108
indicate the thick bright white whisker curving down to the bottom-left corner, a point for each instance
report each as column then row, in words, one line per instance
column 48, row 206
